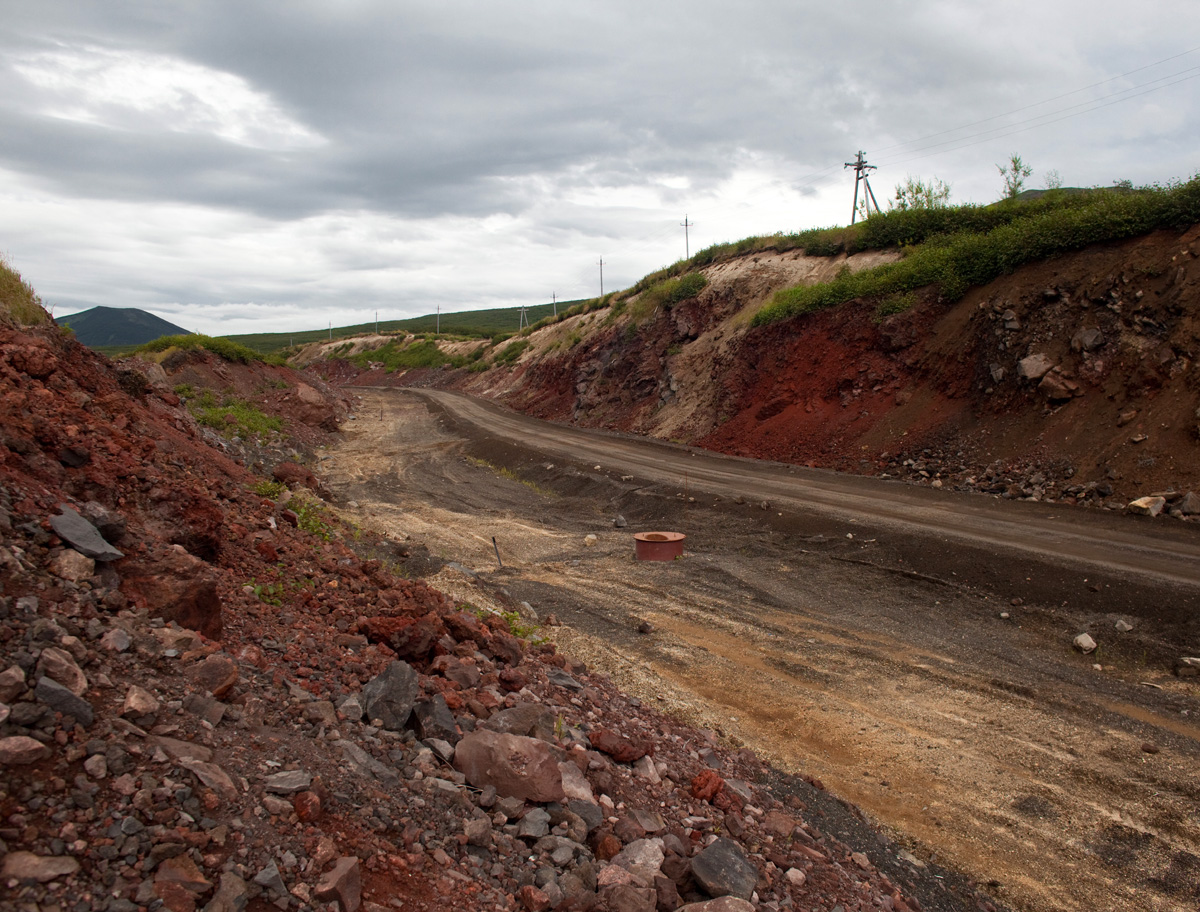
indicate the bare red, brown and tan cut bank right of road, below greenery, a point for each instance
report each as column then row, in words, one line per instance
column 1073, row 380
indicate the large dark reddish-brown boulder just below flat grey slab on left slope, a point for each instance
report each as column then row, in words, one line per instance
column 179, row 587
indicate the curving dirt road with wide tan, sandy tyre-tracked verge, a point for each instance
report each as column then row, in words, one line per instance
column 910, row 649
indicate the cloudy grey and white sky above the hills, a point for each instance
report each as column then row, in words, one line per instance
column 238, row 166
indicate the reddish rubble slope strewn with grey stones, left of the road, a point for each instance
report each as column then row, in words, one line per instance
column 209, row 701
